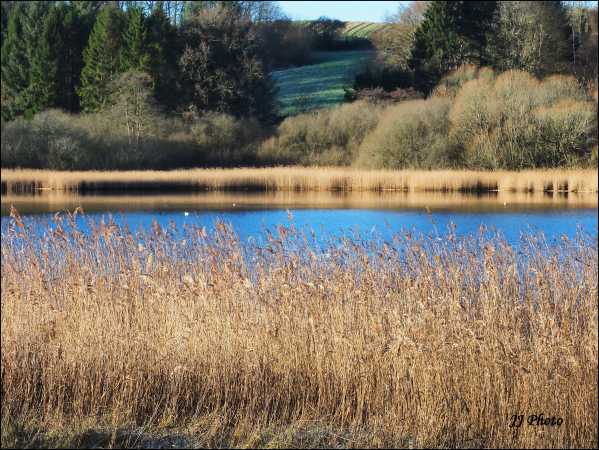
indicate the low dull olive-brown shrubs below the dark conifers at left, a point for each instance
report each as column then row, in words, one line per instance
column 60, row 141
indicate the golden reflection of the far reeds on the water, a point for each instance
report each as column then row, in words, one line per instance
column 50, row 201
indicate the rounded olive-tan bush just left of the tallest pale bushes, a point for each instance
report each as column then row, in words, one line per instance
column 411, row 134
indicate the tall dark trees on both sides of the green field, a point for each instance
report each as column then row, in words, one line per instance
column 216, row 55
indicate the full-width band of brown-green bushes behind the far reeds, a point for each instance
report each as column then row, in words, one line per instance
column 475, row 119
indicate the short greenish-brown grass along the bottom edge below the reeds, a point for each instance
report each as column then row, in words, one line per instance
column 208, row 432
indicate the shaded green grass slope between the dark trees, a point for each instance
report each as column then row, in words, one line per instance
column 319, row 85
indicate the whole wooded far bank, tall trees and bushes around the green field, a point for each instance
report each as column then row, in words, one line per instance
column 175, row 84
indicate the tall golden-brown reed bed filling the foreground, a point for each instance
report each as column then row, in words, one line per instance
column 418, row 341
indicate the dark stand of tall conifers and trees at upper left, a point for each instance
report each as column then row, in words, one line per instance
column 204, row 56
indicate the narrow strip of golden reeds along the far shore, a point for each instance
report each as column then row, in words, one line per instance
column 309, row 179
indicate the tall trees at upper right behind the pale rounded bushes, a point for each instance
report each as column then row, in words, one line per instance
column 430, row 39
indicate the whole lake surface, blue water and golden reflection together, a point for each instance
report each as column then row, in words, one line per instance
column 367, row 214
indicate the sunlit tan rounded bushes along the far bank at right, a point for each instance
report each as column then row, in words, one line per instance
column 475, row 119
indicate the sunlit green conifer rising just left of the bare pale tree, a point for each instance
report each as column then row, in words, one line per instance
column 101, row 59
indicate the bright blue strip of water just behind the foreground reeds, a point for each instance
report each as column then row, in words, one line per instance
column 253, row 224
